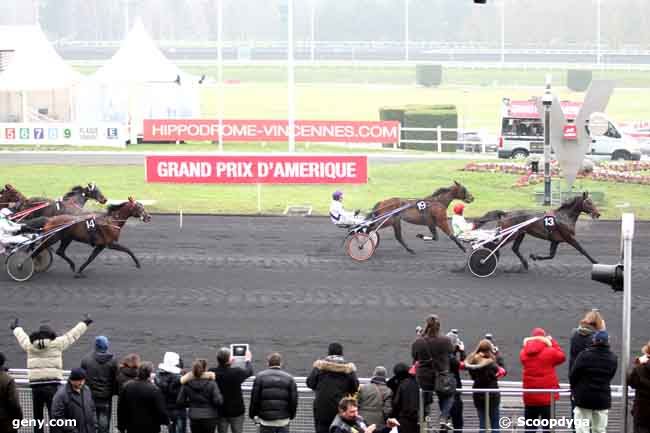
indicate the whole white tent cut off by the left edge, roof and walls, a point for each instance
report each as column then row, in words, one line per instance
column 36, row 83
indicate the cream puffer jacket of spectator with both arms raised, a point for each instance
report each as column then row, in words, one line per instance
column 45, row 352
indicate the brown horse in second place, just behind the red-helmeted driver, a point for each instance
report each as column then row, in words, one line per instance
column 435, row 213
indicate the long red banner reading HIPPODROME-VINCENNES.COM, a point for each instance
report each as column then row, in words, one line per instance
column 271, row 130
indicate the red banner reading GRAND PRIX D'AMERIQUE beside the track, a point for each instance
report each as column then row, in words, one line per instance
column 256, row 169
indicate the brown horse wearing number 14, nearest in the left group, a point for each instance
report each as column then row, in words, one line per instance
column 99, row 231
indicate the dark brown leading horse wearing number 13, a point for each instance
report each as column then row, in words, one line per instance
column 556, row 227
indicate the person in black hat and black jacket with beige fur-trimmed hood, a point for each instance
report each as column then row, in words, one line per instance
column 331, row 379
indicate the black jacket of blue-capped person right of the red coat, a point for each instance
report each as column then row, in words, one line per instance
column 591, row 375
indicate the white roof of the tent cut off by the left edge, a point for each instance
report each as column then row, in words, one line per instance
column 35, row 64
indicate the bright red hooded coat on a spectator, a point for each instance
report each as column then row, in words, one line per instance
column 539, row 357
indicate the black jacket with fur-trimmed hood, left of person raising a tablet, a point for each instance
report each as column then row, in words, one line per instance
column 201, row 395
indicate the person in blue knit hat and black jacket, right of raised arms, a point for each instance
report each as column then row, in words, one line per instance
column 101, row 378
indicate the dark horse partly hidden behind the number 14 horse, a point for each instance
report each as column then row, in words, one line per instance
column 71, row 203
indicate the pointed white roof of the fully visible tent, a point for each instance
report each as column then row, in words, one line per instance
column 139, row 60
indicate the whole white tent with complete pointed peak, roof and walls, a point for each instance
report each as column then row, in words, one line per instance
column 139, row 82
